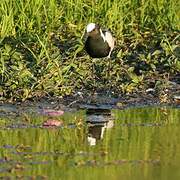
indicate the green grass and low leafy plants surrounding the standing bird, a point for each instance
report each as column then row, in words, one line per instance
column 41, row 45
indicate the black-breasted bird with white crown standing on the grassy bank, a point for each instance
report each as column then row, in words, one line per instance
column 99, row 43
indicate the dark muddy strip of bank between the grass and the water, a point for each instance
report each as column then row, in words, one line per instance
column 97, row 100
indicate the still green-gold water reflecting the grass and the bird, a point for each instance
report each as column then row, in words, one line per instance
column 136, row 143
